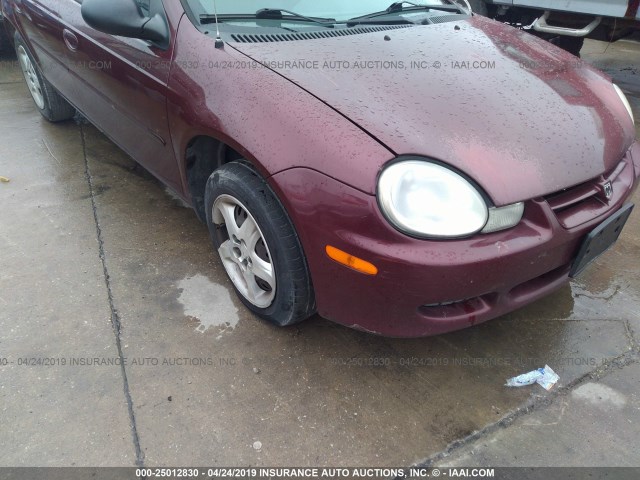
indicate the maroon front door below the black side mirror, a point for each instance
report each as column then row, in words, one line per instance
column 120, row 84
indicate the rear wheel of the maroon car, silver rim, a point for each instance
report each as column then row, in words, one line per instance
column 48, row 101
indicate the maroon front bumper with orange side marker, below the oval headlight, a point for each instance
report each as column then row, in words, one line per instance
column 430, row 287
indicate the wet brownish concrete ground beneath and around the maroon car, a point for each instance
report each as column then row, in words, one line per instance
column 122, row 343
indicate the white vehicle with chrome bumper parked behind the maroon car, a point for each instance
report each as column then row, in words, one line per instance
column 566, row 22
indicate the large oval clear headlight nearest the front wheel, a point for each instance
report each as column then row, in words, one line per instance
column 426, row 200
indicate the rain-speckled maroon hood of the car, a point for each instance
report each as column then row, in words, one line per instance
column 519, row 116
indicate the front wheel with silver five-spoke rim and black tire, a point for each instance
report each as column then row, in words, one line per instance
column 258, row 245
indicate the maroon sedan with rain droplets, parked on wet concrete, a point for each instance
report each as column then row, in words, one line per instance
column 404, row 169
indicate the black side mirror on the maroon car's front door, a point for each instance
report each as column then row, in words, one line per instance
column 124, row 18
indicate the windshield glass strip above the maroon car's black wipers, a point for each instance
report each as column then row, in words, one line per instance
column 341, row 10
